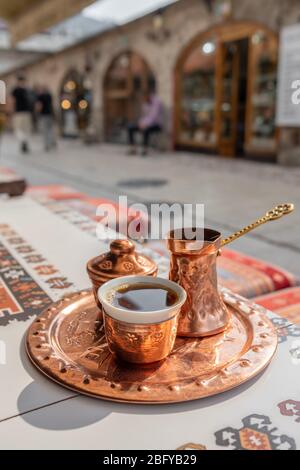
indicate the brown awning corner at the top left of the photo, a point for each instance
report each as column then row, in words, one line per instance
column 28, row 17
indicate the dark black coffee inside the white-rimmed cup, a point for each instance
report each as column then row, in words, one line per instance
column 143, row 297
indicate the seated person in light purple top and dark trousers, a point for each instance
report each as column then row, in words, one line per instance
column 151, row 121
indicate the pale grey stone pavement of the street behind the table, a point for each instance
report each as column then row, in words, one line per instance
column 234, row 191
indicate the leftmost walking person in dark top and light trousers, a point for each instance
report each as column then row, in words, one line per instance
column 22, row 113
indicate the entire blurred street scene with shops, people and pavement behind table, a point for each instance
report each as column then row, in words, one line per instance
column 201, row 88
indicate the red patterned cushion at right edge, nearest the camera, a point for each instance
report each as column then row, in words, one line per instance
column 285, row 302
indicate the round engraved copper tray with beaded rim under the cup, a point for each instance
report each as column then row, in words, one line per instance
column 67, row 343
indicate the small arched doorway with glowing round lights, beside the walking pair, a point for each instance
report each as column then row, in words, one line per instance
column 75, row 103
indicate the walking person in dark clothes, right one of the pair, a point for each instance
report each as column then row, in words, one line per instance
column 44, row 109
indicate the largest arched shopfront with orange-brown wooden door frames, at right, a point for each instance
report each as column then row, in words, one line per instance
column 226, row 91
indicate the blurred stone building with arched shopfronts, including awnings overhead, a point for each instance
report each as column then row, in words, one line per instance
column 214, row 64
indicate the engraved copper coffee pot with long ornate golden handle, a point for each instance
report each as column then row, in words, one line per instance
column 193, row 266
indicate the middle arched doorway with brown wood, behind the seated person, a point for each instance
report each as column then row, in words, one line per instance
column 127, row 79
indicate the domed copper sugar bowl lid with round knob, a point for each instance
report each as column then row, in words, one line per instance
column 121, row 260
